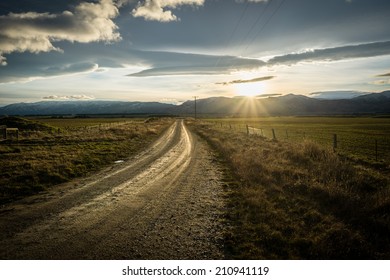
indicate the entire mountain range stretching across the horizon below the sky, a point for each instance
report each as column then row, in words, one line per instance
column 284, row 105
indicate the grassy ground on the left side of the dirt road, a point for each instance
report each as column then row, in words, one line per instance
column 46, row 155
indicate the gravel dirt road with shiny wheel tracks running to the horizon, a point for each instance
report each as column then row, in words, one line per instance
column 165, row 203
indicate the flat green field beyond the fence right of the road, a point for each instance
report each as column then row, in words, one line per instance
column 360, row 138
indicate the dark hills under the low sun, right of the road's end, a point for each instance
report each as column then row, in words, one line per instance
column 291, row 105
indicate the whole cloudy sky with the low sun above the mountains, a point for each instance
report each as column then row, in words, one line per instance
column 172, row 50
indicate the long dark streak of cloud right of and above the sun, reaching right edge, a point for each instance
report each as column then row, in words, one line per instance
column 334, row 54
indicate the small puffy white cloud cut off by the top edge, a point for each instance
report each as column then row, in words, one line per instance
column 156, row 10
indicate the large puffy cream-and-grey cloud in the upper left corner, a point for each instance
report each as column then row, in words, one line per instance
column 36, row 32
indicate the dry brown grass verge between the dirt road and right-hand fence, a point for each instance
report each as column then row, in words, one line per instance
column 299, row 200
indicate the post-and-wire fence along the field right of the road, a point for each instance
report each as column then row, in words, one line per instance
column 358, row 144
